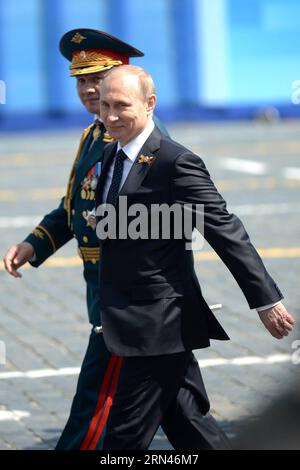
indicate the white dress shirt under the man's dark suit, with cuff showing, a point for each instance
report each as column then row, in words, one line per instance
column 132, row 150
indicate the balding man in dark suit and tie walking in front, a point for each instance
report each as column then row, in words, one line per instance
column 153, row 313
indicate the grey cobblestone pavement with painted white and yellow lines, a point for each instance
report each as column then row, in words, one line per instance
column 43, row 320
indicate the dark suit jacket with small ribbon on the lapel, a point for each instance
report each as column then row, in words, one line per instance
column 151, row 301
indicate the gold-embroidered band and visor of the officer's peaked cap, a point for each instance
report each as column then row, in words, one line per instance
column 90, row 62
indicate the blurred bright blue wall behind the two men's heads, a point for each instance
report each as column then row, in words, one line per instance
column 210, row 59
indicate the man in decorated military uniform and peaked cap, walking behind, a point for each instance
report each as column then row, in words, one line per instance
column 92, row 54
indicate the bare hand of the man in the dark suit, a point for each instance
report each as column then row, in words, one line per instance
column 277, row 320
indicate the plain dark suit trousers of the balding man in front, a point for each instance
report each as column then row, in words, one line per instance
column 149, row 388
